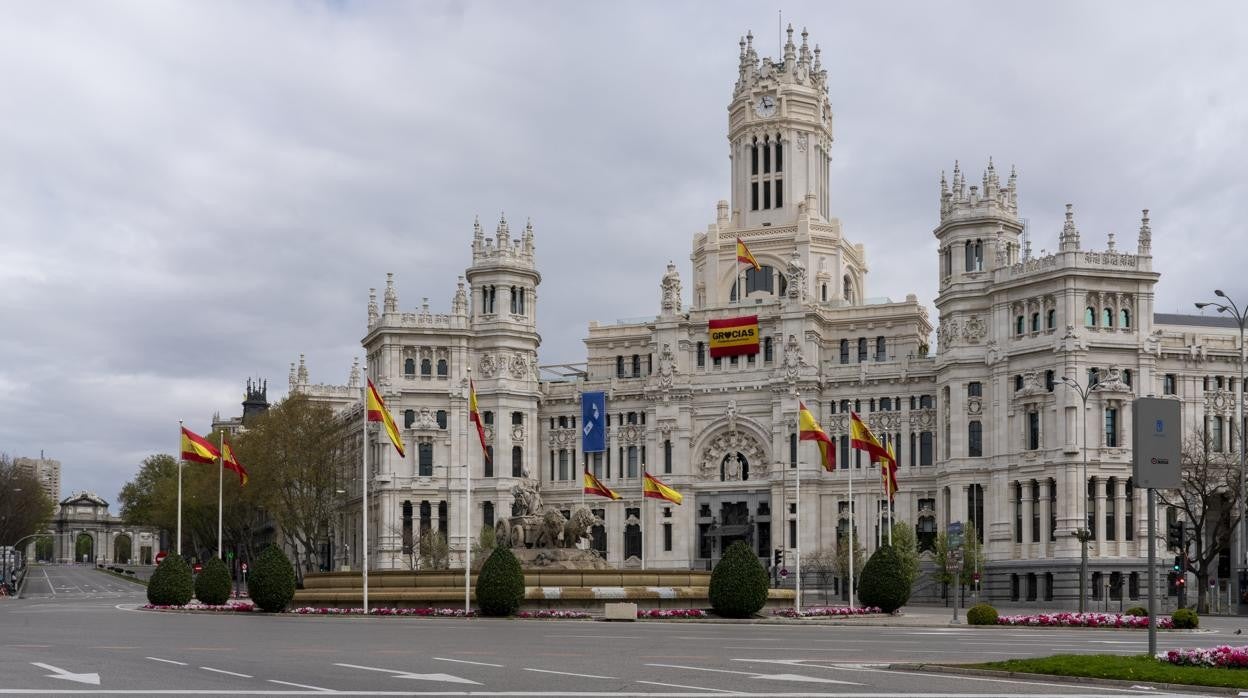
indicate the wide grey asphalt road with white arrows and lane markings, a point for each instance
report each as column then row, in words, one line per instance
column 133, row 652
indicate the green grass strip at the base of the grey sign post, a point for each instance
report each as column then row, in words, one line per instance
column 1139, row 669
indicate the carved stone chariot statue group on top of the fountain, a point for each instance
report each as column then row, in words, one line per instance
column 544, row 538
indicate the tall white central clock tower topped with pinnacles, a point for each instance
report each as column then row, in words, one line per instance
column 781, row 133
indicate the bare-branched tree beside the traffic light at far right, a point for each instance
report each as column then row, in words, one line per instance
column 1209, row 503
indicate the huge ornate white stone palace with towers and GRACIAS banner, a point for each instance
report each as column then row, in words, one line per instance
column 985, row 431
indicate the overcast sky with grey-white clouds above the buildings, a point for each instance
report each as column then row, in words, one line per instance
column 197, row 193
